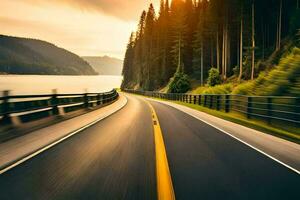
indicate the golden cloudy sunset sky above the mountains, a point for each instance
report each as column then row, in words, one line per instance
column 85, row 27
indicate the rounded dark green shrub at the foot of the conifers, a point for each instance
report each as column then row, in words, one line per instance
column 179, row 83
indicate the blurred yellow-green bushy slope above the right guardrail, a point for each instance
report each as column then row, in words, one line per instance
column 281, row 80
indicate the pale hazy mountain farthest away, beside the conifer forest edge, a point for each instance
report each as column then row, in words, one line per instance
column 105, row 65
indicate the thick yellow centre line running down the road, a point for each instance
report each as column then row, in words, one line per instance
column 165, row 189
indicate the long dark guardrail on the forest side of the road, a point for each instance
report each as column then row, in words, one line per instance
column 271, row 109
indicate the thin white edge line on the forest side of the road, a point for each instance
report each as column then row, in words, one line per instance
column 249, row 145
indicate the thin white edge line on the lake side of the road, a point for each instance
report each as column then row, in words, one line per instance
column 59, row 141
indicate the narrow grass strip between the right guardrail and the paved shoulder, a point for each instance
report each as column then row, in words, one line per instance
column 291, row 133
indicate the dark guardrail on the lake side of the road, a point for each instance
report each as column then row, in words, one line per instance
column 26, row 105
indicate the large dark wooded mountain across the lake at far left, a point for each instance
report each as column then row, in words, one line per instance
column 30, row 56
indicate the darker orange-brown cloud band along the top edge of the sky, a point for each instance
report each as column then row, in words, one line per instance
column 127, row 10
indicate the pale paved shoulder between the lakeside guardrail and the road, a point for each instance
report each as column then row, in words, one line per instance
column 20, row 149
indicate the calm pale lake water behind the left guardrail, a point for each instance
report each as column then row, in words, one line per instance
column 27, row 84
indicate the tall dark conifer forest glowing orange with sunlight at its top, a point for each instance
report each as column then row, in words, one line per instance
column 234, row 40
